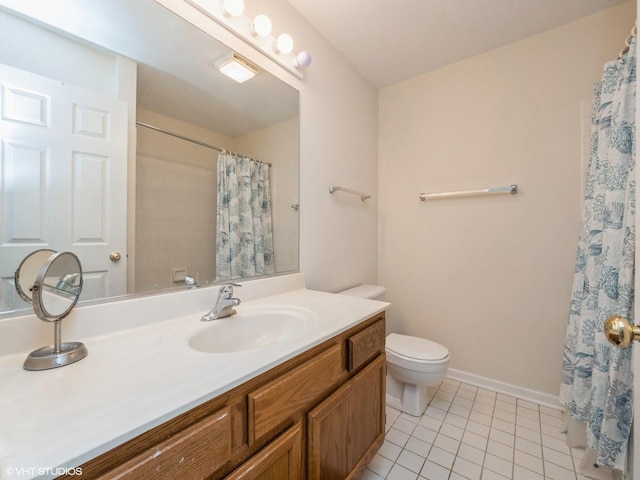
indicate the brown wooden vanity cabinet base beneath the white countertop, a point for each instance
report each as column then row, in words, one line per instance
column 319, row 415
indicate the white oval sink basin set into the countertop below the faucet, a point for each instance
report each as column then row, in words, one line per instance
column 250, row 328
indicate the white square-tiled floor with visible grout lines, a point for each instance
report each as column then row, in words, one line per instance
column 469, row 433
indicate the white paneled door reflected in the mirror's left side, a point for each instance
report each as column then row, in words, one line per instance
column 63, row 165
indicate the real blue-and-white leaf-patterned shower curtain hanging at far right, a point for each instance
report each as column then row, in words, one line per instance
column 597, row 378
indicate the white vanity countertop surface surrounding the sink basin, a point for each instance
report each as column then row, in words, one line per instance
column 137, row 378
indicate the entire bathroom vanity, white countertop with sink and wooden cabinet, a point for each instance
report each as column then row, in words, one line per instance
column 149, row 402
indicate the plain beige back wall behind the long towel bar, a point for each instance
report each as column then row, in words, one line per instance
column 490, row 277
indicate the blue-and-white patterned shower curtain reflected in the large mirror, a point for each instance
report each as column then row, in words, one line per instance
column 244, row 240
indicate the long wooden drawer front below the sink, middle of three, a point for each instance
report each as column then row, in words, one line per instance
column 292, row 393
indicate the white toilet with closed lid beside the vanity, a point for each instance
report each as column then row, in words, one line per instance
column 413, row 363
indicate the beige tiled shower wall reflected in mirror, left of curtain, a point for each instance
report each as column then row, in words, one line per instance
column 175, row 217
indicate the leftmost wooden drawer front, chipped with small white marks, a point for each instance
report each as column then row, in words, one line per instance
column 194, row 453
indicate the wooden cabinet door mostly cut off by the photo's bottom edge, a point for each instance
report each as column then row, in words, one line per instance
column 279, row 460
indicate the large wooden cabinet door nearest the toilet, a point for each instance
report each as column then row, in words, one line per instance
column 346, row 430
